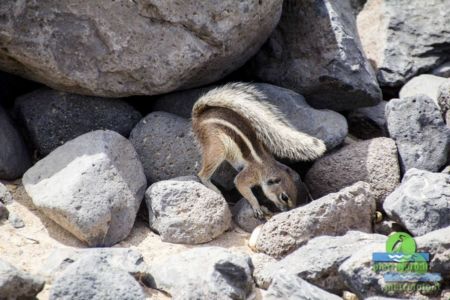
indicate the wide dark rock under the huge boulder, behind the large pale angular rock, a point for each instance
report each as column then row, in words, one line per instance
column 53, row 118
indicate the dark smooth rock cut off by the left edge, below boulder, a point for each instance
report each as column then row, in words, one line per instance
column 14, row 157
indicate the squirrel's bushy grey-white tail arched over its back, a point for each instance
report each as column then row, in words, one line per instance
column 271, row 127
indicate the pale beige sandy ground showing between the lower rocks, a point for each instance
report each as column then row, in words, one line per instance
column 29, row 247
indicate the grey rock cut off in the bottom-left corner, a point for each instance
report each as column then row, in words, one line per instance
column 16, row 284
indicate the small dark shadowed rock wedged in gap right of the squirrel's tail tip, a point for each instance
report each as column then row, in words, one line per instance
column 368, row 122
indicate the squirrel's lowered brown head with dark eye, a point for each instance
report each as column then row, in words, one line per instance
column 281, row 187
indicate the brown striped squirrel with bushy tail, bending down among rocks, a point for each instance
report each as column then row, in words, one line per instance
column 235, row 123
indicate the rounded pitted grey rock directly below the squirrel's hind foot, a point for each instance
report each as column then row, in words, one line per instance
column 182, row 210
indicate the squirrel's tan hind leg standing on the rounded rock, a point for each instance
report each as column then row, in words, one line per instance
column 212, row 158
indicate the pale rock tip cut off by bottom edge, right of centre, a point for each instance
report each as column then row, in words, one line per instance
column 286, row 286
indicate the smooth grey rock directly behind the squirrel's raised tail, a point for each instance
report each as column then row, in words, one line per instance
column 327, row 125
